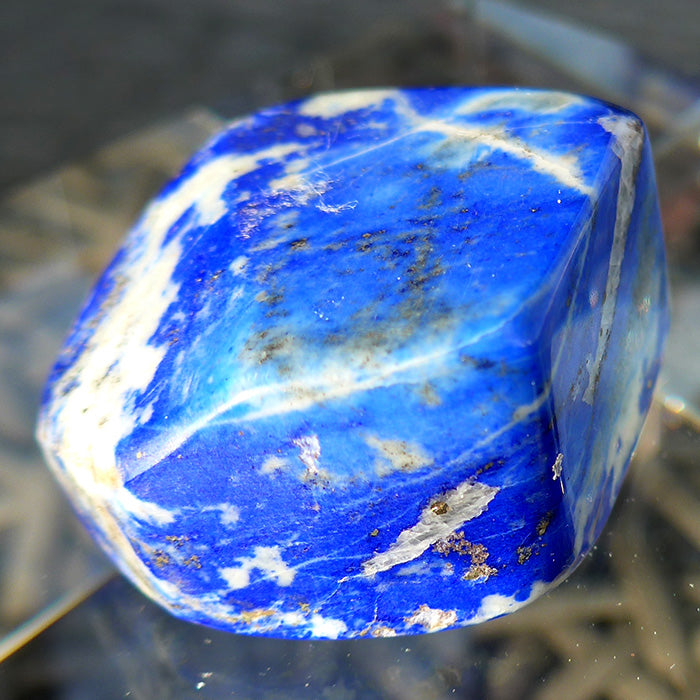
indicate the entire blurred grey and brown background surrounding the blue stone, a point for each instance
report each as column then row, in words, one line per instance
column 102, row 100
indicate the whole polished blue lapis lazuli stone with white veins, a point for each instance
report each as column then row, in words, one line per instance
column 373, row 364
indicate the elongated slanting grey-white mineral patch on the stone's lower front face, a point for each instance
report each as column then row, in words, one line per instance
column 466, row 502
